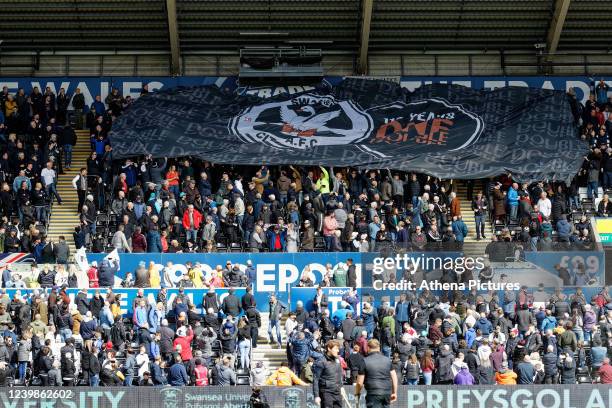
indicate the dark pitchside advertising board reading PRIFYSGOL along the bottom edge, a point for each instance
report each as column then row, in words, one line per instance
column 549, row 396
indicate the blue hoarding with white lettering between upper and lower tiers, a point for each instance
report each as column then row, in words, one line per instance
column 279, row 271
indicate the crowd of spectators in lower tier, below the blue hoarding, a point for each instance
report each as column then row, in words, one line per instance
column 523, row 337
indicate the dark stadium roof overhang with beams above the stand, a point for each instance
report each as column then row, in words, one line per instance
column 357, row 27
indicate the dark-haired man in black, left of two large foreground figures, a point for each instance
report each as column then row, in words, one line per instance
column 328, row 377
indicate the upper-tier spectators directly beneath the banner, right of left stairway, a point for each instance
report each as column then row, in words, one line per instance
column 162, row 206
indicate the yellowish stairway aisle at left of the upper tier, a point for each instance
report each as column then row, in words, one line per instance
column 65, row 217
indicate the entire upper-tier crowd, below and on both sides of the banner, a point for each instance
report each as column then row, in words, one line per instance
column 189, row 205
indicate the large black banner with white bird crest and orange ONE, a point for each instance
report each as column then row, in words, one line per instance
column 447, row 131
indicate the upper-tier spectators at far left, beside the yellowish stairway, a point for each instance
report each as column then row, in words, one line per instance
column 37, row 137
